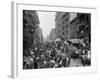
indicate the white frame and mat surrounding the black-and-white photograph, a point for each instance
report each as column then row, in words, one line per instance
column 17, row 28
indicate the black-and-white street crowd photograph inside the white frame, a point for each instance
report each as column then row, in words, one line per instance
column 54, row 39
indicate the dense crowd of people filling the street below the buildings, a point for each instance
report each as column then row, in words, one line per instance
column 54, row 55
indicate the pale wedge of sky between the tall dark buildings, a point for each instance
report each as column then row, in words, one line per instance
column 47, row 22
